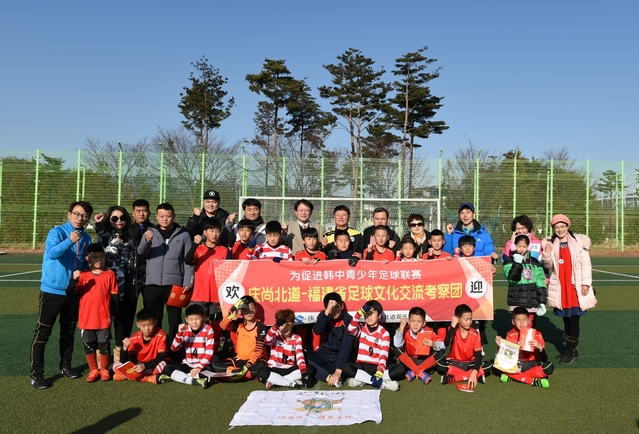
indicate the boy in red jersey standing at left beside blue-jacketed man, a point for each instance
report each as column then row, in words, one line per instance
column 98, row 291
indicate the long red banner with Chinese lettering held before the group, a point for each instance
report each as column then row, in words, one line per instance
column 436, row 286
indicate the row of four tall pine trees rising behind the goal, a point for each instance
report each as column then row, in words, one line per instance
column 384, row 120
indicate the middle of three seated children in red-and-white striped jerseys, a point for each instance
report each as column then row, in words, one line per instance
column 286, row 365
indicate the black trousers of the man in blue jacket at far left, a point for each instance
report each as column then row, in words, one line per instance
column 50, row 306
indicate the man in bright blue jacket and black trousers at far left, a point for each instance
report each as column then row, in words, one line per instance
column 64, row 251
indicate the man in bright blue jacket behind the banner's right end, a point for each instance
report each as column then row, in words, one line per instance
column 467, row 225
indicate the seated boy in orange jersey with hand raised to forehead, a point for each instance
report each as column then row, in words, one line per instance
column 249, row 342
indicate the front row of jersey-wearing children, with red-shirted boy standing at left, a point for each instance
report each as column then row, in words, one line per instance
column 275, row 355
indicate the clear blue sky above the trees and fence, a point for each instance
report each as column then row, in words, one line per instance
column 538, row 75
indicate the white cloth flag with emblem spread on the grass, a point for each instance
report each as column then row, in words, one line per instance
column 307, row 408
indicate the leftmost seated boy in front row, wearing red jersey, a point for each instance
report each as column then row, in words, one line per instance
column 146, row 349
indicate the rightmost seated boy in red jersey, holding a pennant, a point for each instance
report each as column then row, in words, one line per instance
column 534, row 365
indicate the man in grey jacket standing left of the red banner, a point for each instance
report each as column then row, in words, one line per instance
column 164, row 246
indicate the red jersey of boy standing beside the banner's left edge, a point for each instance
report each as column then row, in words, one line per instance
column 204, row 286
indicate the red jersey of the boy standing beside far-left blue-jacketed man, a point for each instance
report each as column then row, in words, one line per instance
column 95, row 291
